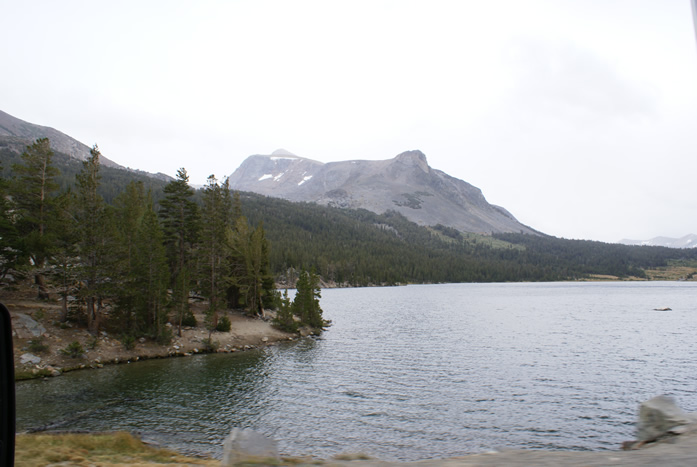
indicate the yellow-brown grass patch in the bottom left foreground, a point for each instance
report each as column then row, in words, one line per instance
column 107, row 449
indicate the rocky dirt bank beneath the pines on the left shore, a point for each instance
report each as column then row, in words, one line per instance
column 41, row 341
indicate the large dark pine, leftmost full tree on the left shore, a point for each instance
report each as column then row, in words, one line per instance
column 32, row 192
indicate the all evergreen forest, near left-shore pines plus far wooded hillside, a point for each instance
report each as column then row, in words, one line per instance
column 146, row 245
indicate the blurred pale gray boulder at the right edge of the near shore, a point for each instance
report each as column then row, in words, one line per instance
column 659, row 417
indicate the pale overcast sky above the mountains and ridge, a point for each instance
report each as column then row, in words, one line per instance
column 579, row 117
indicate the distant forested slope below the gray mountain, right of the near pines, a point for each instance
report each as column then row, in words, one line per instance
column 361, row 248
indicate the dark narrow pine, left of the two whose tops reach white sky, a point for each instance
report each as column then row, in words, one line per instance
column 180, row 219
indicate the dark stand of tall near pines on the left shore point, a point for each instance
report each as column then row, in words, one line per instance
column 134, row 260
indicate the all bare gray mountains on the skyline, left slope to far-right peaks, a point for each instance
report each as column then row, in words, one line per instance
column 405, row 184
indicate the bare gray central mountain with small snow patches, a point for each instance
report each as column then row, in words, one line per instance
column 406, row 184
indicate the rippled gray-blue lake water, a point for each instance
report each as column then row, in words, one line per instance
column 415, row 372
